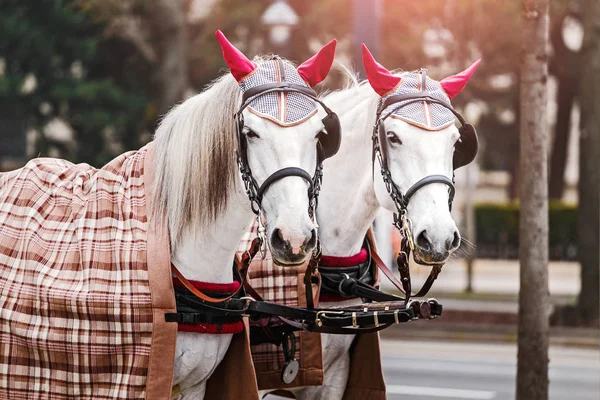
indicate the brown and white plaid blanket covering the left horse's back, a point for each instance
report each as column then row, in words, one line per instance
column 83, row 283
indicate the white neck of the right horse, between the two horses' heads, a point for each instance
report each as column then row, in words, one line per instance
column 347, row 202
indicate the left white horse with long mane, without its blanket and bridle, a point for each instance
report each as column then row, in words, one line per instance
column 200, row 194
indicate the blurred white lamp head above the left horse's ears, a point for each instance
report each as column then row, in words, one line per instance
column 280, row 17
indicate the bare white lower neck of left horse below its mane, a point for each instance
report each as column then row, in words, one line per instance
column 206, row 253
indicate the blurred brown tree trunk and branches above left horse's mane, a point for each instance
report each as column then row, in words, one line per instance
column 151, row 39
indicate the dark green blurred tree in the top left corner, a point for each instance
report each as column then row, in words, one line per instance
column 51, row 70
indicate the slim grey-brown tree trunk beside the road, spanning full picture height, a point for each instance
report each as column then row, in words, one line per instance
column 532, row 357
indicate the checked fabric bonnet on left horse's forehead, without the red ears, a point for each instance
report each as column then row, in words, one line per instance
column 283, row 108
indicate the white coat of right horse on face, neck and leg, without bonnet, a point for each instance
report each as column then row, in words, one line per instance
column 351, row 196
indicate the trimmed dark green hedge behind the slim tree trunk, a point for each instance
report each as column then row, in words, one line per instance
column 497, row 228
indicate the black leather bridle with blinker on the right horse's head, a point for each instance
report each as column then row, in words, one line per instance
column 465, row 152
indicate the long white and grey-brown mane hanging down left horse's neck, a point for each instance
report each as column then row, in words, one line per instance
column 195, row 157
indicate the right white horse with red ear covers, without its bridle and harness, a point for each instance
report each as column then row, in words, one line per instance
column 352, row 194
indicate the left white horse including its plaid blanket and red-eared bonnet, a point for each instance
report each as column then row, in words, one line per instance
column 79, row 316
